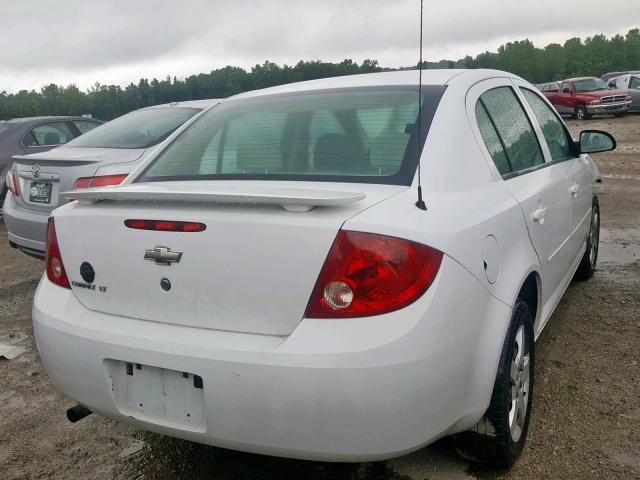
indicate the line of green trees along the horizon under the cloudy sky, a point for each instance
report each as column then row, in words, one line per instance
column 594, row 56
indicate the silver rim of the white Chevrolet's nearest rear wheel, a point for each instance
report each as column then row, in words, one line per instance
column 519, row 377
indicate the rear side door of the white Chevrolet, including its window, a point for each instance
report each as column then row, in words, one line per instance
column 521, row 161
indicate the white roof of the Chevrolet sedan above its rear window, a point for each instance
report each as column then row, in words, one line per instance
column 403, row 77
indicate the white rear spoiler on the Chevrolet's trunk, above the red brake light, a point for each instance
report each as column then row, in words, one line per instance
column 291, row 199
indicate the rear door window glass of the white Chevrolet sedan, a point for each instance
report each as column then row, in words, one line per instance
column 513, row 127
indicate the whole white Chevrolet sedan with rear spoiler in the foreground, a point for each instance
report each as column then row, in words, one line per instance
column 273, row 280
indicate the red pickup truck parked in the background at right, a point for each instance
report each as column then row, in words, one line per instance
column 587, row 96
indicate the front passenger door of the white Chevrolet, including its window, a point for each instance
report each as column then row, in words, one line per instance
column 568, row 163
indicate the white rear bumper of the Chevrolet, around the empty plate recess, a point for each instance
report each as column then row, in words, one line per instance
column 334, row 390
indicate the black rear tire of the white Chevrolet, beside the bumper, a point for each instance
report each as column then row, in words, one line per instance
column 491, row 441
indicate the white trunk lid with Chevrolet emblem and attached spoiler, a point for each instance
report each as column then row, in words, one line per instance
column 251, row 270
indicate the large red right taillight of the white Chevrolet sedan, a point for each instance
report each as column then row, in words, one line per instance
column 367, row 274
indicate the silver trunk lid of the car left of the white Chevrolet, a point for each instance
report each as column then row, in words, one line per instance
column 55, row 171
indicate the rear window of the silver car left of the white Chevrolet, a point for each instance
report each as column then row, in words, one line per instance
column 139, row 129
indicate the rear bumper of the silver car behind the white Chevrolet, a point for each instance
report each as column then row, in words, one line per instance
column 27, row 229
